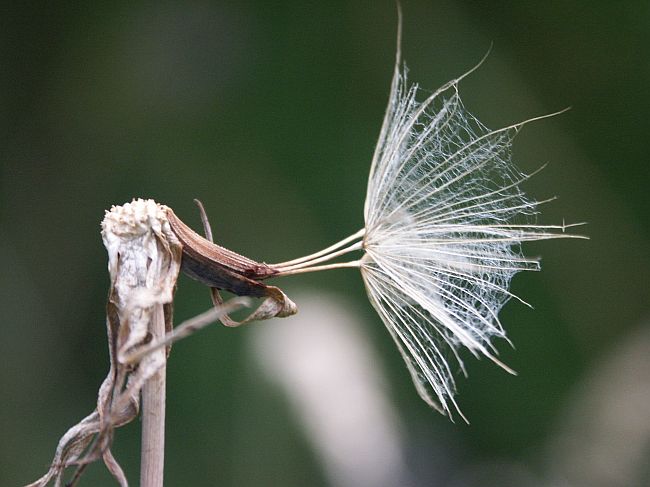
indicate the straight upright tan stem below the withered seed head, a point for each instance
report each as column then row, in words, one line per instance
column 152, row 459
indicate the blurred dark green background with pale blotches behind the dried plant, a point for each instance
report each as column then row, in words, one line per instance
column 269, row 112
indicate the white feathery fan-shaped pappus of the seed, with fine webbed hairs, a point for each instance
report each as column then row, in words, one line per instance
column 445, row 218
